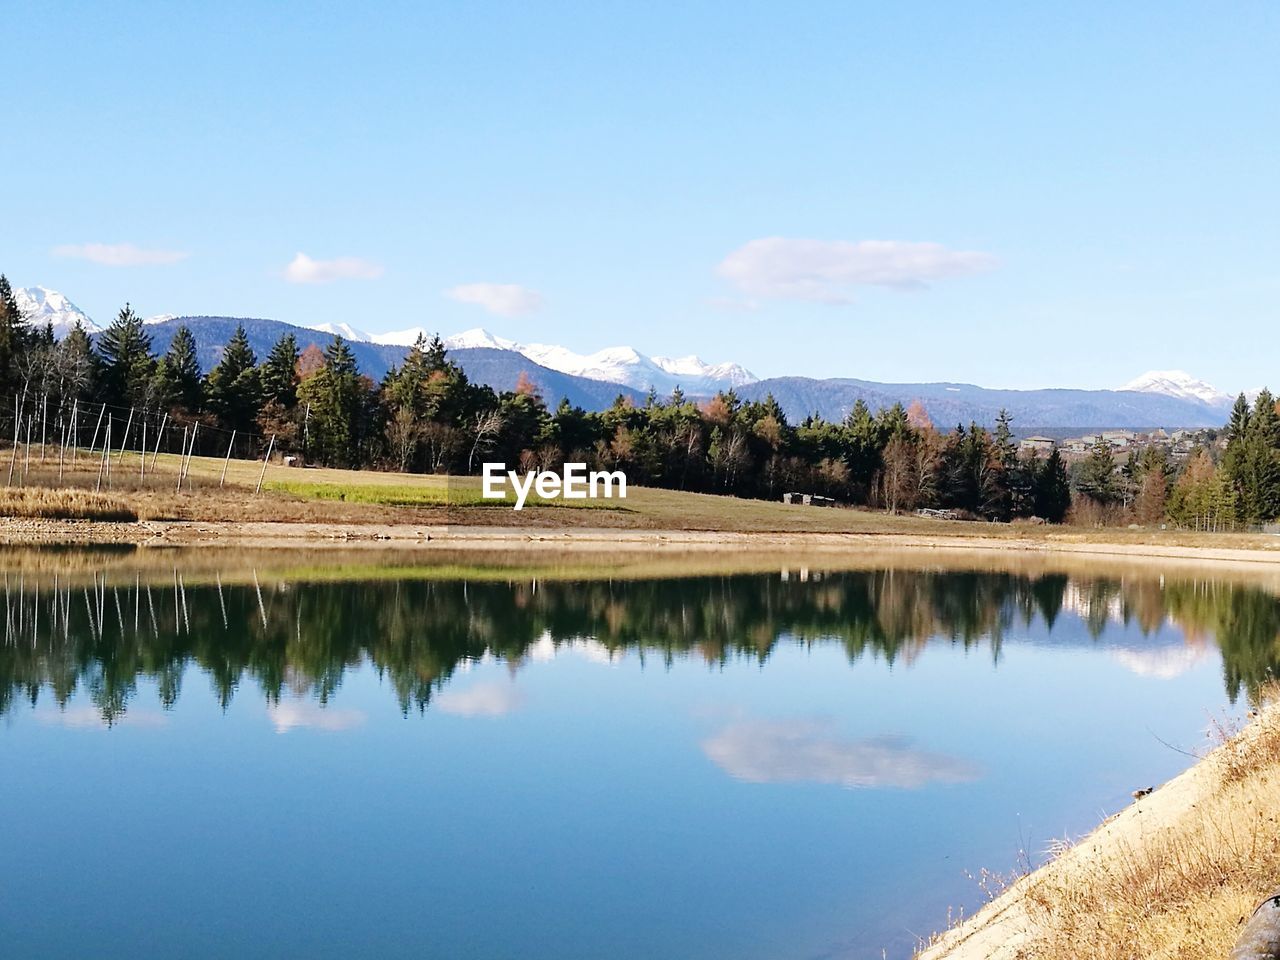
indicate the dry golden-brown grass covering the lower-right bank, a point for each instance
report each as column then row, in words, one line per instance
column 1177, row 886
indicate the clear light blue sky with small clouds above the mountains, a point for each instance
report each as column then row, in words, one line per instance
column 1016, row 195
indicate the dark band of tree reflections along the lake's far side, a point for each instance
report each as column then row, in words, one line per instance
column 104, row 639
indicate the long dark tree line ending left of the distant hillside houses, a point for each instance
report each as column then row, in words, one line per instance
column 428, row 417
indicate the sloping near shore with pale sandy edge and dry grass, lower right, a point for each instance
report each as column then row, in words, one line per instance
column 1171, row 830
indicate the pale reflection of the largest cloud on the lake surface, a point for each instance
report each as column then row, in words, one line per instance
column 810, row 752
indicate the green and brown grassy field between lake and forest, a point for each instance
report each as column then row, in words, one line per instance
column 345, row 497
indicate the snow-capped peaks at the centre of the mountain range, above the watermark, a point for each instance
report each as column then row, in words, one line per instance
column 621, row 365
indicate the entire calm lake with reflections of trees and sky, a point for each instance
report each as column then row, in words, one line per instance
column 212, row 757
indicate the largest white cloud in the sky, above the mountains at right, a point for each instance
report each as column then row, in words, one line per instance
column 826, row 272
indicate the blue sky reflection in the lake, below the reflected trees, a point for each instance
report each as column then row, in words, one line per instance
column 584, row 806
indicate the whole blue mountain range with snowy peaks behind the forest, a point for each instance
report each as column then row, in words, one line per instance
column 1159, row 399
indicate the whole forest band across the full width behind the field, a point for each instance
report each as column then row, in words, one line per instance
column 428, row 417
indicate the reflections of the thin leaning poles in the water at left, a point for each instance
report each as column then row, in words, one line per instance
column 26, row 607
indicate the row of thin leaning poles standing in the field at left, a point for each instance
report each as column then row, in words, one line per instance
column 70, row 440
